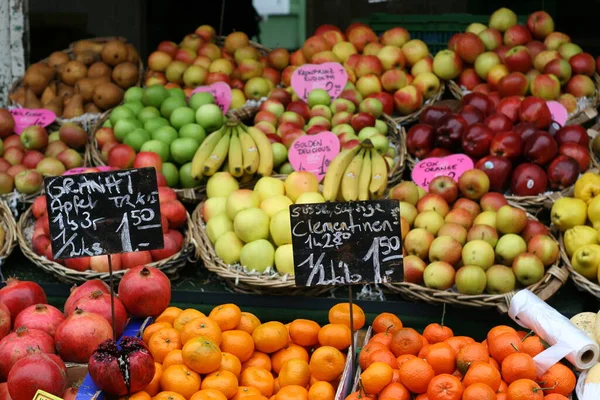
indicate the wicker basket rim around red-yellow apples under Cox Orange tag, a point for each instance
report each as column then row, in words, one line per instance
column 556, row 276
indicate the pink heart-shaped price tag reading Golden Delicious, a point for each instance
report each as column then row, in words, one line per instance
column 314, row 153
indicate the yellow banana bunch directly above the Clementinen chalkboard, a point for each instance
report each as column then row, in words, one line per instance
column 359, row 173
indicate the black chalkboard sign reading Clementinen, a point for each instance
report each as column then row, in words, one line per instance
column 346, row 243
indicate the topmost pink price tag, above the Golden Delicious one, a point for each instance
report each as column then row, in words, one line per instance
column 329, row 76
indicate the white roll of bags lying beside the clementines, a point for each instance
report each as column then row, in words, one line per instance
column 565, row 339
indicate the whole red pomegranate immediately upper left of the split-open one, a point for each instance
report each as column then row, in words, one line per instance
column 79, row 335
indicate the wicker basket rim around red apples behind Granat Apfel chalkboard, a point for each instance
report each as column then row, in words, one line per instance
column 169, row 266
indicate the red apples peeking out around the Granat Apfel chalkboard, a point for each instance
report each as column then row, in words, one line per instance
column 174, row 218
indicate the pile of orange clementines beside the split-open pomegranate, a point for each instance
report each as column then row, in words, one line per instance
column 230, row 354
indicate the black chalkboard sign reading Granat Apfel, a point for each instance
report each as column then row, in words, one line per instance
column 104, row 213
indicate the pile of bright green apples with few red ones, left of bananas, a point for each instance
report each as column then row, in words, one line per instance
column 160, row 121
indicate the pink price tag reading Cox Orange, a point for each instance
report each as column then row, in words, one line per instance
column 453, row 166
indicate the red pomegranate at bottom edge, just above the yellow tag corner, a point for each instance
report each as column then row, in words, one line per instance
column 37, row 371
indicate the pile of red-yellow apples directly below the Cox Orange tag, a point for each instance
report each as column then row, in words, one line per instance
column 477, row 243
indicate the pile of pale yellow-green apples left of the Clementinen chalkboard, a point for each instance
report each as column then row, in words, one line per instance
column 251, row 227
